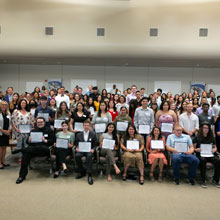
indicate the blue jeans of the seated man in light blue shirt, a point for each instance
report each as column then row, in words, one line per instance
column 190, row 159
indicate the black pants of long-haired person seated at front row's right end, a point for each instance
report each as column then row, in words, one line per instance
column 214, row 160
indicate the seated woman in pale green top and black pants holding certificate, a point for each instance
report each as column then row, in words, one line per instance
column 64, row 144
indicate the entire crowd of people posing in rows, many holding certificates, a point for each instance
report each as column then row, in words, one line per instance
column 172, row 130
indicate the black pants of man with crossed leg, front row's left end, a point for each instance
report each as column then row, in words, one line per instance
column 30, row 152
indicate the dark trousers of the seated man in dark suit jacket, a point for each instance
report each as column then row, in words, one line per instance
column 88, row 156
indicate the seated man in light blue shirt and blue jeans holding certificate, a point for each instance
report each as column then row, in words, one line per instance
column 181, row 147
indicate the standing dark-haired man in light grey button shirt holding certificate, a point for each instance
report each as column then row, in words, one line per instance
column 144, row 118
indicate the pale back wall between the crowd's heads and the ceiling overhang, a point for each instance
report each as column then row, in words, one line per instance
column 17, row 75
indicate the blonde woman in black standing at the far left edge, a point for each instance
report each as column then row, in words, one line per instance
column 5, row 128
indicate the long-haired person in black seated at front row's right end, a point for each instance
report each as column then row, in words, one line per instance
column 205, row 149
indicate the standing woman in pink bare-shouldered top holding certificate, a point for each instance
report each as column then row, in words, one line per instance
column 165, row 119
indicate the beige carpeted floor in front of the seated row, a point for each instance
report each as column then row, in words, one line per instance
column 41, row 197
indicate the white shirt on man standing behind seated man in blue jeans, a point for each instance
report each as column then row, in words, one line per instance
column 189, row 122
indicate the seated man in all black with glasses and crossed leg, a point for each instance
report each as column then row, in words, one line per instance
column 39, row 141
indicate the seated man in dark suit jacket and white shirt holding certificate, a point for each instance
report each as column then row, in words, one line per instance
column 85, row 146
